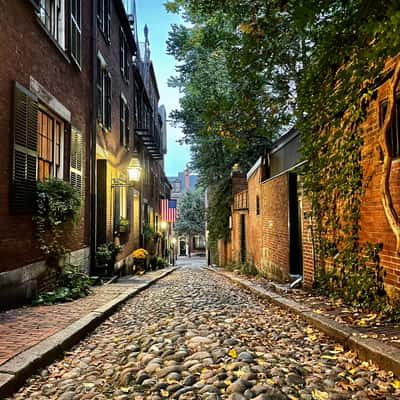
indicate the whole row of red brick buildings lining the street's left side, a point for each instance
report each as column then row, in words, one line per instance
column 79, row 102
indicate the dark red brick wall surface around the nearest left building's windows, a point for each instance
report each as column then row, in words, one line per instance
column 26, row 52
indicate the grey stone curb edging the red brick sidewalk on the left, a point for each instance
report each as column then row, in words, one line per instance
column 14, row 372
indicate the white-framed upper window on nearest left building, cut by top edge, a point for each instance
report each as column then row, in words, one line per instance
column 51, row 13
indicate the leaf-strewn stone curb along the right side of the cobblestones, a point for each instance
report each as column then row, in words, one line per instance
column 385, row 356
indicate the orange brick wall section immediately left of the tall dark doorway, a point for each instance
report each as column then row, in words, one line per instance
column 275, row 235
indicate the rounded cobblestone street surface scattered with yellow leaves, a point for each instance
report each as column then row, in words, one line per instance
column 195, row 335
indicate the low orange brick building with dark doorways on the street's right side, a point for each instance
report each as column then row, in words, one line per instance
column 268, row 227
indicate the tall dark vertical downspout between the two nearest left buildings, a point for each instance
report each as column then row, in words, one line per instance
column 92, row 145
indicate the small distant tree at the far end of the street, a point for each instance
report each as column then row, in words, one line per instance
column 191, row 215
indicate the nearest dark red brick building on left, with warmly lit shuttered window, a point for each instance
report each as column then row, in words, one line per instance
column 45, row 120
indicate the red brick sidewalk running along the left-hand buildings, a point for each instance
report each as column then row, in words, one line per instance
column 25, row 327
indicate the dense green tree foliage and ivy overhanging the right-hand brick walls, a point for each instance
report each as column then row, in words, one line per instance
column 249, row 69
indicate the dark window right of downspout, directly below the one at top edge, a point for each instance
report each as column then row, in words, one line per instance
column 103, row 87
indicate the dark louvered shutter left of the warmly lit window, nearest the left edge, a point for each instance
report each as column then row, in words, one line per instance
column 24, row 151
